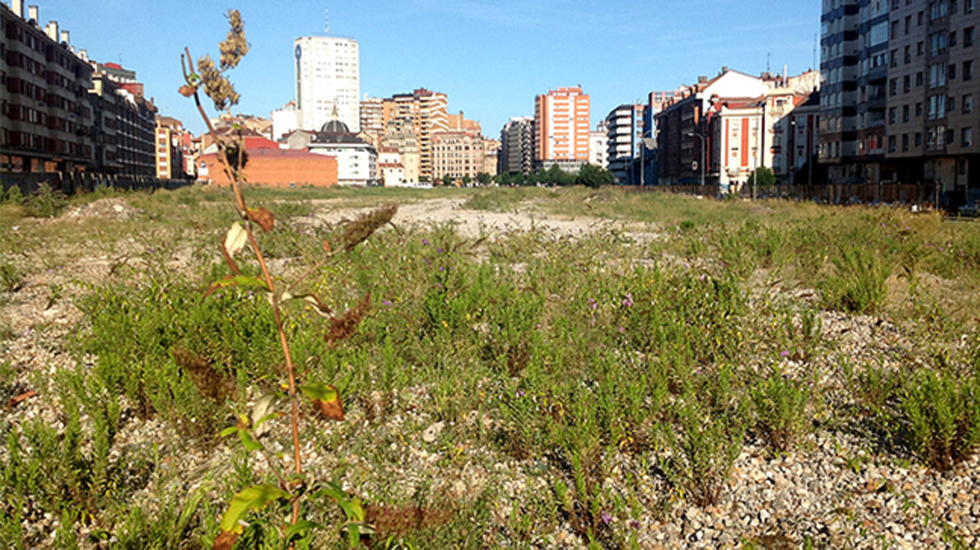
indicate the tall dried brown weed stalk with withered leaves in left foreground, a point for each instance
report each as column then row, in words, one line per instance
column 324, row 398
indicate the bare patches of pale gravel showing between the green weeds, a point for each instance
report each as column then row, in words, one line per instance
column 835, row 490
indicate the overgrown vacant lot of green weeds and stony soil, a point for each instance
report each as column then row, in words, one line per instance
column 521, row 388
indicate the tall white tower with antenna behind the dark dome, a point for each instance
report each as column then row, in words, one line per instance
column 327, row 77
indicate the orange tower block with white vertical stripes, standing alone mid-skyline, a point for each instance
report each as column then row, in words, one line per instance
column 561, row 127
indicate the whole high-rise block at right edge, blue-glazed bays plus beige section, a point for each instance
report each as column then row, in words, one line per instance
column 900, row 82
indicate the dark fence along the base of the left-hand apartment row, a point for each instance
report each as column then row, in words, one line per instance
column 75, row 182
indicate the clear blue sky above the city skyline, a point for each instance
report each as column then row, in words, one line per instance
column 491, row 57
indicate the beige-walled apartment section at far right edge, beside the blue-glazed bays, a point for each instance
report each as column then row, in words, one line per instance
column 933, row 84
